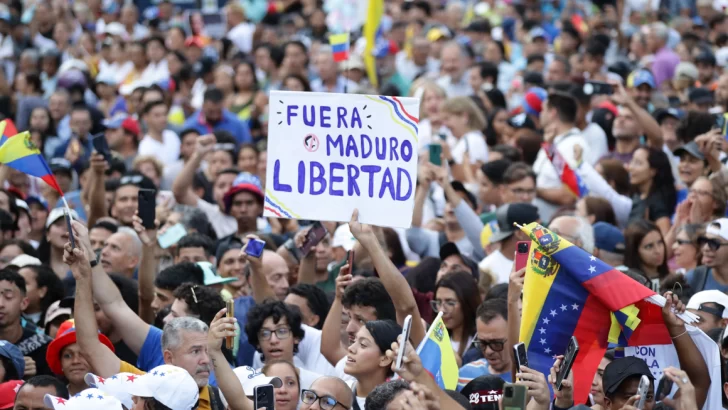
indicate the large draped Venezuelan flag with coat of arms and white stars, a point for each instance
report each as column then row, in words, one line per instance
column 570, row 292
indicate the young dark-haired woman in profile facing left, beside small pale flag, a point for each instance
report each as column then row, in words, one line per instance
column 367, row 360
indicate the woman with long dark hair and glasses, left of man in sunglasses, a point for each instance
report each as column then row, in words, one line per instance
column 457, row 296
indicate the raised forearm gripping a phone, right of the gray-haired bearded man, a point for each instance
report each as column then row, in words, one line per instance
column 220, row 328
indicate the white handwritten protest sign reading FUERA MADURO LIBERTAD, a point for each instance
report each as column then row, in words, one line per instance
column 331, row 153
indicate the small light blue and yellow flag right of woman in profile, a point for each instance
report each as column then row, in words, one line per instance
column 437, row 355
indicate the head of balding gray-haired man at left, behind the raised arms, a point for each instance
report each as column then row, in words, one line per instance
column 122, row 252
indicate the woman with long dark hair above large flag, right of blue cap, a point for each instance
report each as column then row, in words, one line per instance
column 645, row 250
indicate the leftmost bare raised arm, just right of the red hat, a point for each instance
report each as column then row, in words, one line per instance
column 102, row 360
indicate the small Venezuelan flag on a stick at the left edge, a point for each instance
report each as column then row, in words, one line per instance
column 20, row 153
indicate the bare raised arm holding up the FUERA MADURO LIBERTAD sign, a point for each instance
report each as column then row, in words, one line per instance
column 392, row 279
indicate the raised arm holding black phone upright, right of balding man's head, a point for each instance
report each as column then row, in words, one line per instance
column 147, row 268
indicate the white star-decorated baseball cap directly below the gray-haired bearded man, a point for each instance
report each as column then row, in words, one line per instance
column 169, row 385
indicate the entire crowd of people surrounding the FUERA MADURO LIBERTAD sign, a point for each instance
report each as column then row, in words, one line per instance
column 603, row 121
